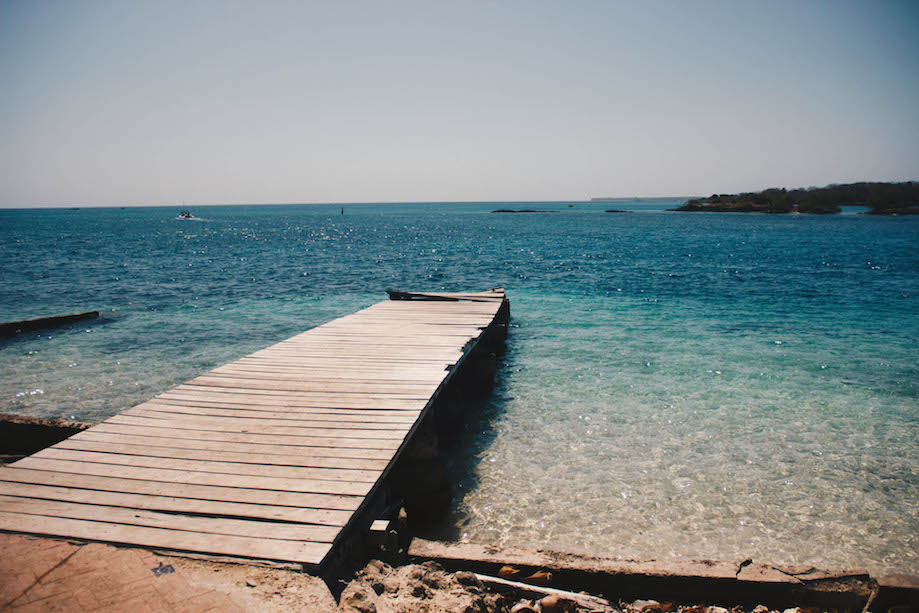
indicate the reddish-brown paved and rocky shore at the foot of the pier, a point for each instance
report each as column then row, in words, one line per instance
column 40, row 574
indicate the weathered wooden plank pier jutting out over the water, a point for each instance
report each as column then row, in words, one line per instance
column 276, row 456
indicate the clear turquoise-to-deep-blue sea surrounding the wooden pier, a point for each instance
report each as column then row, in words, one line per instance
column 676, row 385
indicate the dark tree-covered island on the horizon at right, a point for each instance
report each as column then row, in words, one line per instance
column 879, row 198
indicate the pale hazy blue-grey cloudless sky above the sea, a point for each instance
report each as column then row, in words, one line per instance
column 162, row 102
